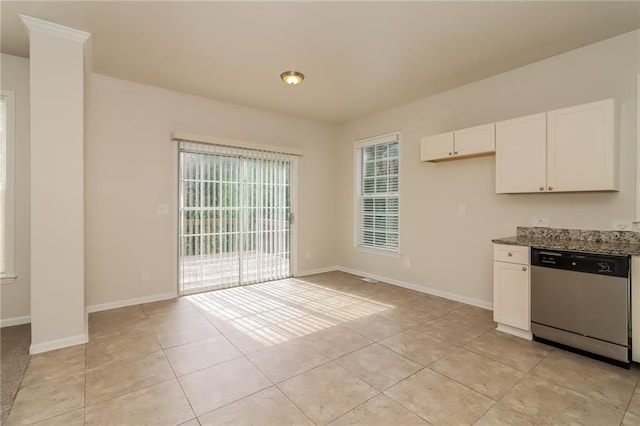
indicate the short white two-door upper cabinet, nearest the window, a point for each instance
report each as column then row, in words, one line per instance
column 471, row 142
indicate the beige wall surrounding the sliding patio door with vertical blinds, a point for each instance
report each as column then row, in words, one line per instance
column 131, row 164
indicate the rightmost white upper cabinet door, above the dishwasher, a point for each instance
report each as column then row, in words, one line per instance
column 581, row 148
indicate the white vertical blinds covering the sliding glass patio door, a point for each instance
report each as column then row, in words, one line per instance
column 235, row 212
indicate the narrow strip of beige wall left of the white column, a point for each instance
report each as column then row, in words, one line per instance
column 15, row 297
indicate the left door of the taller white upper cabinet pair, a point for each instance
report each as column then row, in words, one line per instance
column 521, row 154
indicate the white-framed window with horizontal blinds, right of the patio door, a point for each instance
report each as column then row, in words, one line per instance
column 377, row 199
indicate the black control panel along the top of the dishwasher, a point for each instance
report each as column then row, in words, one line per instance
column 616, row 266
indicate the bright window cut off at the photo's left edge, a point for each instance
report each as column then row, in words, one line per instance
column 6, row 185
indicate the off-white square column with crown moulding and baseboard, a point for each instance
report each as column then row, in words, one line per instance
column 57, row 72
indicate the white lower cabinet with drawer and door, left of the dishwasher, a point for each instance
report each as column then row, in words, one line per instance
column 512, row 290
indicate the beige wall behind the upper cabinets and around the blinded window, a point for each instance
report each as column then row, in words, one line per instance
column 451, row 253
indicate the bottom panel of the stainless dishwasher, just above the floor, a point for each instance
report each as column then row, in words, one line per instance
column 588, row 344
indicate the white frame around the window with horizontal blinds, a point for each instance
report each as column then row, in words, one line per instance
column 357, row 199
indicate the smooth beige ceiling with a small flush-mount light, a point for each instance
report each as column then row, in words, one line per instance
column 358, row 57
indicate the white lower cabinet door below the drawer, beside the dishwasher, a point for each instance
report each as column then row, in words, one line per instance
column 511, row 295
